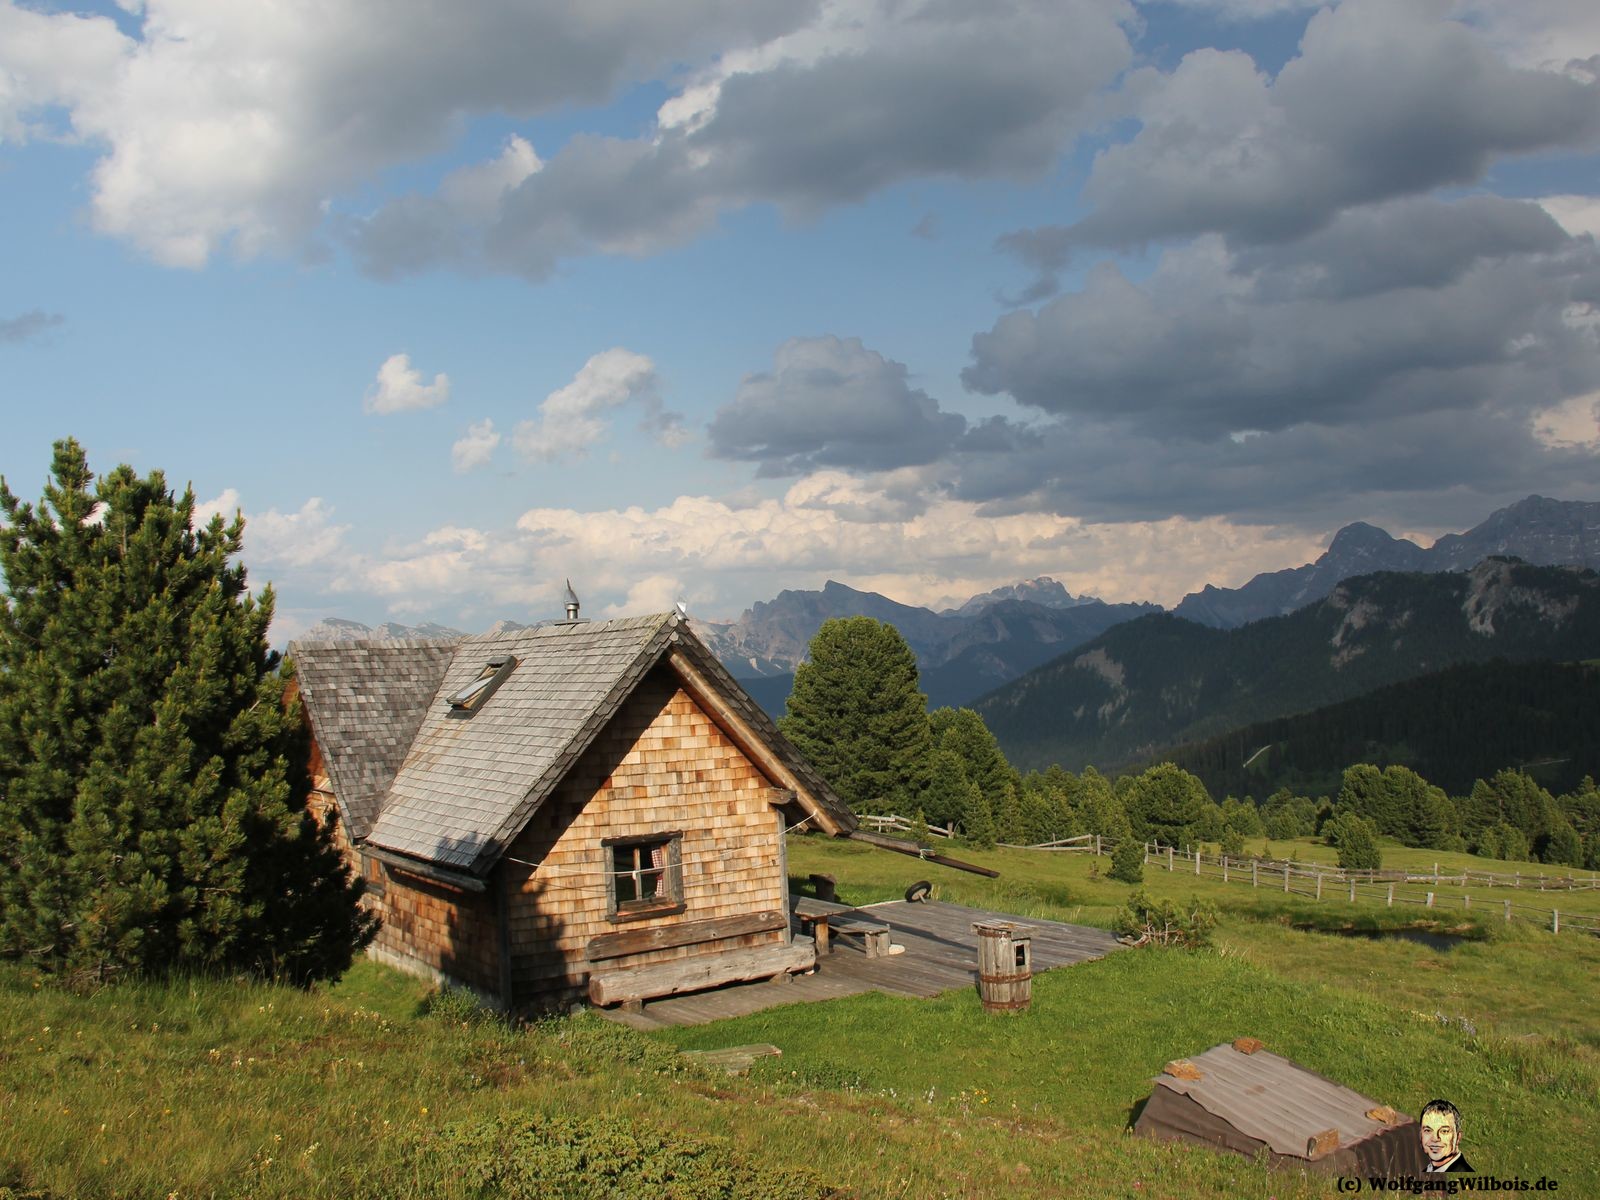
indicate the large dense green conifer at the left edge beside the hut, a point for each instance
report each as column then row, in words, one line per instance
column 153, row 801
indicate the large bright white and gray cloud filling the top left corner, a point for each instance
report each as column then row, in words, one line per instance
column 234, row 124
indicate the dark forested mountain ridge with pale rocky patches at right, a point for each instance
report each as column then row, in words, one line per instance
column 1161, row 681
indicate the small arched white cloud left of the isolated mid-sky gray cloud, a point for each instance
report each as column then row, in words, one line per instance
column 572, row 420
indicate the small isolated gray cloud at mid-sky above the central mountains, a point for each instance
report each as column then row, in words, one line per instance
column 831, row 402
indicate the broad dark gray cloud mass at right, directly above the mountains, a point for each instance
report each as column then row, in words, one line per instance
column 1444, row 306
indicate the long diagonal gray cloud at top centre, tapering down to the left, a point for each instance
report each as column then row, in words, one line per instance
column 937, row 90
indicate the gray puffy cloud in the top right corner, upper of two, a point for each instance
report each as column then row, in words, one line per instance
column 1385, row 100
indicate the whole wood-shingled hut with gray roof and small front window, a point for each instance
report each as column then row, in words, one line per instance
column 577, row 809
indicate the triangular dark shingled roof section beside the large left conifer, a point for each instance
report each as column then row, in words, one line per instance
column 366, row 703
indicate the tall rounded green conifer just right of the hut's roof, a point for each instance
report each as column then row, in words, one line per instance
column 858, row 714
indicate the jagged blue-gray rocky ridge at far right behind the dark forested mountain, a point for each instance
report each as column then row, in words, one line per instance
column 1538, row 530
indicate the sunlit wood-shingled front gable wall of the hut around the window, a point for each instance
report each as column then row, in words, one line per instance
column 660, row 766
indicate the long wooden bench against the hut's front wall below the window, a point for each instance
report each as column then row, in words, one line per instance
column 615, row 980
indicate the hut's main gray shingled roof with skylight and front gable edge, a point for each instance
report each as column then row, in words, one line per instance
column 468, row 786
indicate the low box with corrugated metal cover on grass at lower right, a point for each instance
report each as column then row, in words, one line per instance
column 1263, row 1103
